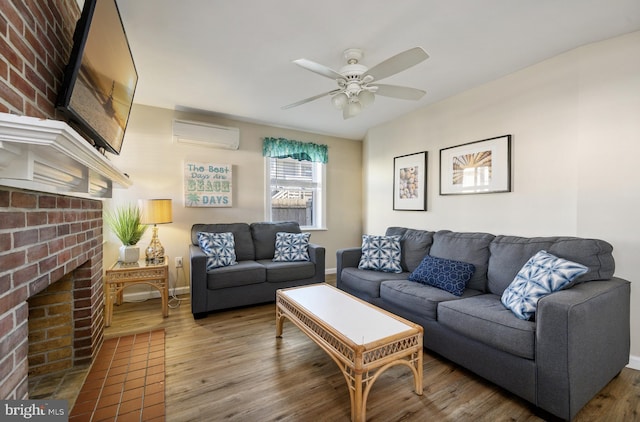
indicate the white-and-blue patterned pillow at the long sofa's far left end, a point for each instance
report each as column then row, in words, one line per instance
column 380, row 253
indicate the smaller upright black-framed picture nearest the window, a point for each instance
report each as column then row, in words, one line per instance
column 410, row 182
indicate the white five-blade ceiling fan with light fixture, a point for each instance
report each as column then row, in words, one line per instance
column 357, row 84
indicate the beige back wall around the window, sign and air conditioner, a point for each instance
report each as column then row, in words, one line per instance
column 155, row 164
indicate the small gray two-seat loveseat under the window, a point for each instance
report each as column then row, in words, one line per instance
column 256, row 277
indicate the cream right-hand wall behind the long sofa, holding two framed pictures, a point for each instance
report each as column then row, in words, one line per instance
column 575, row 121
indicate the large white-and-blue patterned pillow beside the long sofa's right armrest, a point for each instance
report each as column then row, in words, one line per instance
column 542, row 275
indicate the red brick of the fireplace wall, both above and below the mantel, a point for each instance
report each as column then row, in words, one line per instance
column 42, row 236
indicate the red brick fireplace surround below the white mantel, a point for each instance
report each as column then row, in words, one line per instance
column 43, row 238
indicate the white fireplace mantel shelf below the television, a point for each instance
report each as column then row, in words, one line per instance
column 50, row 156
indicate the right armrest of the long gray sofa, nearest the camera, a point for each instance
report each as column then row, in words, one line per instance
column 582, row 342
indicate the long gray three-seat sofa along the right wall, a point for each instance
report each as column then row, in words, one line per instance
column 577, row 342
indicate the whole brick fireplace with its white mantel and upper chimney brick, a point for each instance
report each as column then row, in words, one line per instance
column 51, row 185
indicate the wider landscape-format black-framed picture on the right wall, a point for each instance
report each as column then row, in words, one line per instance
column 476, row 167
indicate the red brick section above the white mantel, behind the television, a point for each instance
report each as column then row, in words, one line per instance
column 35, row 42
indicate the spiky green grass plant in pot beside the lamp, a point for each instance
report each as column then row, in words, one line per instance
column 125, row 222
